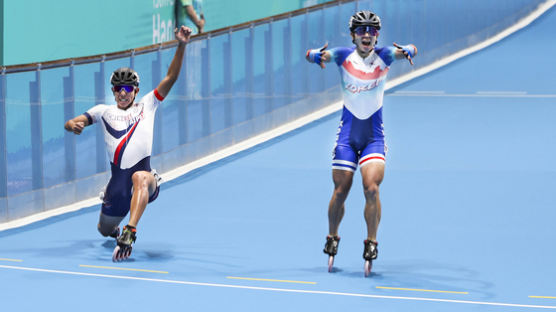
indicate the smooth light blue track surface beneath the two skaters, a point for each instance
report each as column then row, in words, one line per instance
column 467, row 225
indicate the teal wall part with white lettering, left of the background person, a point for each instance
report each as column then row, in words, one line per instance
column 46, row 30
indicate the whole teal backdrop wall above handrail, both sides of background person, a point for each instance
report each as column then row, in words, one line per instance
column 46, row 30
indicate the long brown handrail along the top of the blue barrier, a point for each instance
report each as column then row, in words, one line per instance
column 163, row 45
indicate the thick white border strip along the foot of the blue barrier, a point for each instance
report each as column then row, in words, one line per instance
column 241, row 146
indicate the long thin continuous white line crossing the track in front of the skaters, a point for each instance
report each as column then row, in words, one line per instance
column 319, row 292
